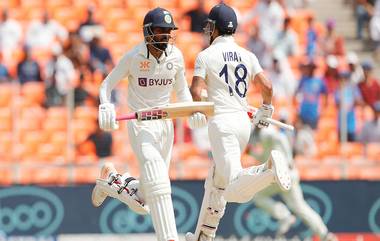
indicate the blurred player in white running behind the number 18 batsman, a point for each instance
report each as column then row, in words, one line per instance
column 272, row 139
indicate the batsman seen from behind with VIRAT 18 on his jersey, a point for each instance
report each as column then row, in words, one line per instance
column 227, row 69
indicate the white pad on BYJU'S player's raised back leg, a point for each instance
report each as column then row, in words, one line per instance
column 130, row 199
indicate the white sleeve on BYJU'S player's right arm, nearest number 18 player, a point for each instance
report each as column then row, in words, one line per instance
column 180, row 85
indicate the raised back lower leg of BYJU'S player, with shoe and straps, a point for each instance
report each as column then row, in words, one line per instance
column 123, row 187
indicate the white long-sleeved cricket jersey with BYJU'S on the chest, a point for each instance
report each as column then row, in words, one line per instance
column 150, row 81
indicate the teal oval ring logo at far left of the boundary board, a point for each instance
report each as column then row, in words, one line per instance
column 30, row 210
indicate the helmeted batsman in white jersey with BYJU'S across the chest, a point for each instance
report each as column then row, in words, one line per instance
column 154, row 69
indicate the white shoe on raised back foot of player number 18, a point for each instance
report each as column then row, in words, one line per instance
column 280, row 170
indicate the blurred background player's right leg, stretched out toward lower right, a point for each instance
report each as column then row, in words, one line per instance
column 295, row 201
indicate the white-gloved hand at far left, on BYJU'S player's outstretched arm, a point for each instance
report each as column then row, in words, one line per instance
column 107, row 117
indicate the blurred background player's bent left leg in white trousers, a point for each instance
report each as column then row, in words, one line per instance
column 275, row 209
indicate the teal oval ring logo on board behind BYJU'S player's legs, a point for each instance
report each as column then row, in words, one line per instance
column 116, row 218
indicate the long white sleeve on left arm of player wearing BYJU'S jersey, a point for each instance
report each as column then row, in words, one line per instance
column 119, row 72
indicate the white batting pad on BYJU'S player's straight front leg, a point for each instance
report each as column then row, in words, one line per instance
column 156, row 185
